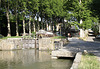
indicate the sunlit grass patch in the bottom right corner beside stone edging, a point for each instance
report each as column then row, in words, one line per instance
column 89, row 61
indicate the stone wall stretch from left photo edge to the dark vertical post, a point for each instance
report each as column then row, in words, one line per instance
column 18, row 43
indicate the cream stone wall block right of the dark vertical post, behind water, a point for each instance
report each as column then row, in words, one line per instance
column 50, row 44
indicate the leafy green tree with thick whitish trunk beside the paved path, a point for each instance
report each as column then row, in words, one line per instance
column 82, row 12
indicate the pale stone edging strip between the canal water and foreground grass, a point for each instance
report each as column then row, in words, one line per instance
column 76, row 60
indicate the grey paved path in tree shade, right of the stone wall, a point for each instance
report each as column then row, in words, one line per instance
column 78, row 45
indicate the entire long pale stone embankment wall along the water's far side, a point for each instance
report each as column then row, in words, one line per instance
column 28, row 43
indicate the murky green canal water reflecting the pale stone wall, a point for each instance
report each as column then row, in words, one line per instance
column 31, row 59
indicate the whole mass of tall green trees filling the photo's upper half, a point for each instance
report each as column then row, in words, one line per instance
column 25, row 15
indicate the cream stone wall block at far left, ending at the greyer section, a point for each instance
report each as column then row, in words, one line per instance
column 11, row 44
